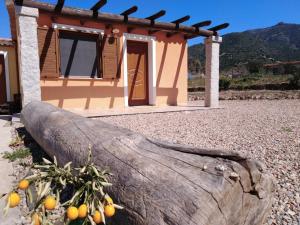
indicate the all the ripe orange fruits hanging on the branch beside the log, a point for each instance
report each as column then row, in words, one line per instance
column 72, row 212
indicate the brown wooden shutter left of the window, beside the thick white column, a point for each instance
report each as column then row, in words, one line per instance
column 47, row 39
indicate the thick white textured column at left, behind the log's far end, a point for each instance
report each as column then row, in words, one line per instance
column 29, row 63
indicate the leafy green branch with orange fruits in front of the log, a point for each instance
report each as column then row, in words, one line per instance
column 82, row 185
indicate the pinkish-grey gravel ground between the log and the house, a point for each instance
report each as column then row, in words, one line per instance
column 265, row 130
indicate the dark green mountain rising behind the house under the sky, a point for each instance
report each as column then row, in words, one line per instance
column 277, row 43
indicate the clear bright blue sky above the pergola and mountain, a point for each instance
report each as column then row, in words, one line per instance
column 241, row 14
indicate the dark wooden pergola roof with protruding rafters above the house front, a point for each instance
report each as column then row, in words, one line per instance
column 149, row 22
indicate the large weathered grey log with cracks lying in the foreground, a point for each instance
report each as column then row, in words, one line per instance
column 158, row 183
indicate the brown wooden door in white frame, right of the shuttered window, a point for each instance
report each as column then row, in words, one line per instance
column 137, row 63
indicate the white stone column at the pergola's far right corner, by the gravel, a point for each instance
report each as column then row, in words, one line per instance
column 212, row 54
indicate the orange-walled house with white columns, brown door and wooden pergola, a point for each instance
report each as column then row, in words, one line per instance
column 84, row 59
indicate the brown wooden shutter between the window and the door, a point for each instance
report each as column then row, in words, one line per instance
column 110, row 57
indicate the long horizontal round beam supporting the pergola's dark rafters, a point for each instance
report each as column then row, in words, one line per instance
column 117, row 19
